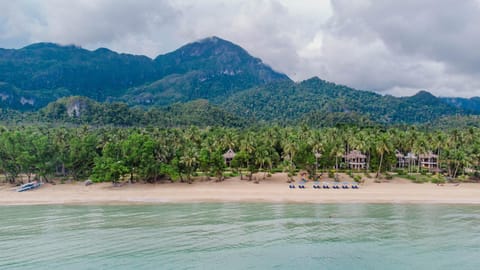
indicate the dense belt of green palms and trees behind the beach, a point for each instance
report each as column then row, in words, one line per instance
column 152, row 154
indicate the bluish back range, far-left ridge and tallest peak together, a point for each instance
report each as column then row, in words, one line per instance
column 209, row 68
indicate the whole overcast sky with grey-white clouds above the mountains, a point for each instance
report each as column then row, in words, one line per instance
column 395, row 47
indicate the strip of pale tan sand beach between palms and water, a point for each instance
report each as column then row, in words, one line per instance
column 273, row 189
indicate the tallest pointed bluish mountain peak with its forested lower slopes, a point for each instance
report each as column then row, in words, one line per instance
column 210, row 68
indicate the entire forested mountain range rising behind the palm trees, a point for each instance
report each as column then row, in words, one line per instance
column 210, row 82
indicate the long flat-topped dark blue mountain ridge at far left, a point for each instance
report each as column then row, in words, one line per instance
column 43, row 68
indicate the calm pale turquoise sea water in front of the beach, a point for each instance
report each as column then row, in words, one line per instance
column 240, row 236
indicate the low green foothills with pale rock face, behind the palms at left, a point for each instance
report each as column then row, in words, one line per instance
column 82, row 110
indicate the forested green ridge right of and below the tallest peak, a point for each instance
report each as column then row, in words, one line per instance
column 318, row 99
